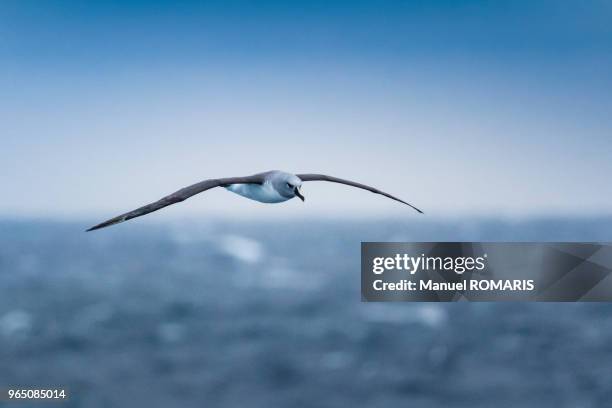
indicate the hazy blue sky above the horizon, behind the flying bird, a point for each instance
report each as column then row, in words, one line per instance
column 462, row 107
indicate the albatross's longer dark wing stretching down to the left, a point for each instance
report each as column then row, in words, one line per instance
column 181, row 195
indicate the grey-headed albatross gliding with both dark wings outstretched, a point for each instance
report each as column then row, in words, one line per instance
column 269, row 187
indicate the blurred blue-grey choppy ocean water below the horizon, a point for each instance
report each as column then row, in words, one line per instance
column 268, row 314
